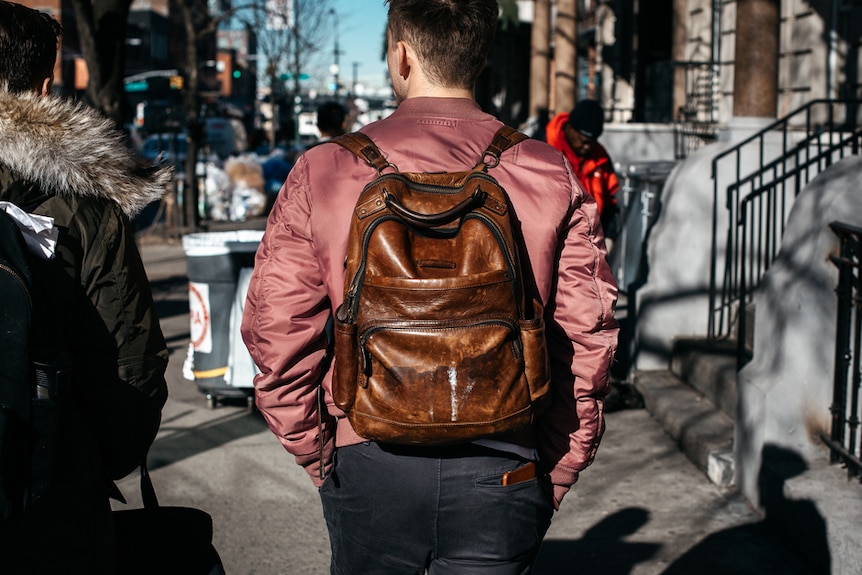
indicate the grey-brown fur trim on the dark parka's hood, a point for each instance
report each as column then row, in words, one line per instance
column 68, row 148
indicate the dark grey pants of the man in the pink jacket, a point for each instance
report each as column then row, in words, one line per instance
column 404, row 510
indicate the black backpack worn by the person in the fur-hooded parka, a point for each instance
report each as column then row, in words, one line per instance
column 35, row 376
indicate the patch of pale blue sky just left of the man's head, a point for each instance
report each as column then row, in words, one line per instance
column 361, row 25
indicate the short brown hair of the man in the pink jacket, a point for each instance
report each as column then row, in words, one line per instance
column 452, row 38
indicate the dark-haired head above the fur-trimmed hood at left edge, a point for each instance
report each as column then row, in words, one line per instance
column 28, row 46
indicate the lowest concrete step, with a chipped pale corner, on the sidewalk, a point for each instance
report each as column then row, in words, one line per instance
column 703, row 432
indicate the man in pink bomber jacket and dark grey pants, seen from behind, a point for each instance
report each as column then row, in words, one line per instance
column 407, row 509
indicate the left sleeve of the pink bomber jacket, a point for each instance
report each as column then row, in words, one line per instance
column 283, row 328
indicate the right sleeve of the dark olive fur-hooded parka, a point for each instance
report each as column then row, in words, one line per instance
column 121, row 346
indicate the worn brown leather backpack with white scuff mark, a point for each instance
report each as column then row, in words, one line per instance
column 435, row 342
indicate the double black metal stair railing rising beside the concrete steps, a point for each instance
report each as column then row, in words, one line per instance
column 781, row 159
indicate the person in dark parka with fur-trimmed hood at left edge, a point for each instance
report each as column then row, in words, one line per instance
column 63, row 160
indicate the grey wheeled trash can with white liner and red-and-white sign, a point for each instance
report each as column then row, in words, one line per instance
column 214, row 263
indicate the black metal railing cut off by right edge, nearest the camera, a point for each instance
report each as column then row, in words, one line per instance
column 844, row 441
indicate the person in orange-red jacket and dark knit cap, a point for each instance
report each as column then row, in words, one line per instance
column 576, row 134
